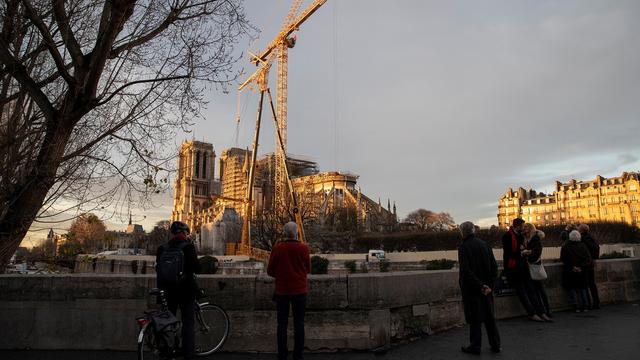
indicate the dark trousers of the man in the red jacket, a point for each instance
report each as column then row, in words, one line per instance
column 297, row 304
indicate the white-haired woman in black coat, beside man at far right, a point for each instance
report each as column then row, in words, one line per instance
column 575, row 257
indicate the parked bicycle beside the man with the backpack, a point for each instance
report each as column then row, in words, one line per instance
column 211, row 330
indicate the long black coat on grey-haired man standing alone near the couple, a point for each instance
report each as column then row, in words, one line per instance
column 478, row 267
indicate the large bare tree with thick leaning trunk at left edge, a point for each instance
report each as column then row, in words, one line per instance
column 90, row 92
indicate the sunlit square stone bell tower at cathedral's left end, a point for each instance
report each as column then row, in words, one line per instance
column 195, row 181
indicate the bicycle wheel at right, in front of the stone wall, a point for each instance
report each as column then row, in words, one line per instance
column 212, row 329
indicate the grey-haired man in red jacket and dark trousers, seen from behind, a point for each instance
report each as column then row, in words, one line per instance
column 289, row 264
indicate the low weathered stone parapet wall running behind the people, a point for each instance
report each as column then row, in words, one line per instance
column 355, row 312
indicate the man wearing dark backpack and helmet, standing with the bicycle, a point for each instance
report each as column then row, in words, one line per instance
column 176, row 264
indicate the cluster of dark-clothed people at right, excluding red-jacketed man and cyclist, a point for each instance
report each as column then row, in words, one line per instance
column 522, row 260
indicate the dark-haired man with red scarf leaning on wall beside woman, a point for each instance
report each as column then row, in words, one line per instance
column 517, row 271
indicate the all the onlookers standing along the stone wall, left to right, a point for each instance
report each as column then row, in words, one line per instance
column 290, row 263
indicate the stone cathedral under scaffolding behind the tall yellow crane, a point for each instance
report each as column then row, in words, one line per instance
column 326, row 199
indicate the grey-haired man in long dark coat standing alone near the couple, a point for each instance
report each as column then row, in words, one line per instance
column 478, row 273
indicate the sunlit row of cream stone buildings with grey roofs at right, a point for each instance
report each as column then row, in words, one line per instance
column 602, row 199
